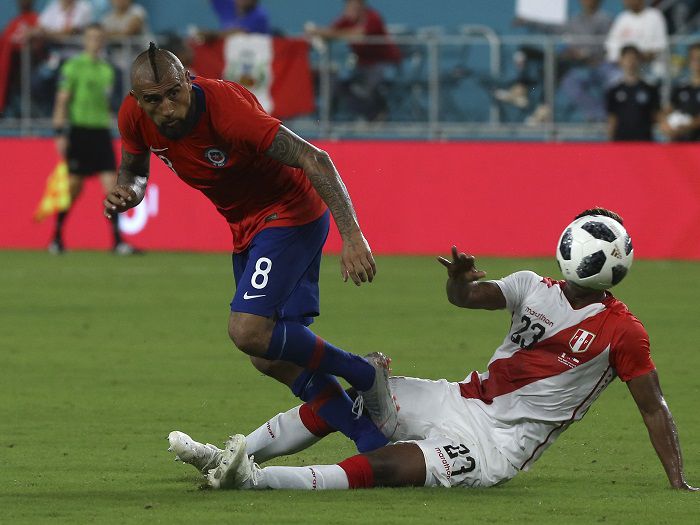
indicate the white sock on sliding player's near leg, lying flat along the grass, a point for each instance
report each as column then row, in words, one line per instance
column 316, row 477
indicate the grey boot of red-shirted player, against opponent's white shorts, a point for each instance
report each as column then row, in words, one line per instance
column 378, row 400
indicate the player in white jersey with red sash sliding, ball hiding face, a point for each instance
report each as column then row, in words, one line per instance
column 565, row 345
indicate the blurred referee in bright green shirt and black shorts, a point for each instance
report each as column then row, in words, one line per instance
column 82, row 123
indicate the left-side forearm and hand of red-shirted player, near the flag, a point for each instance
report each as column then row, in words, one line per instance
column 131, row 184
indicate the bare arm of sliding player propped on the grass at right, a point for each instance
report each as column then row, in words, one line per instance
column 646, row 392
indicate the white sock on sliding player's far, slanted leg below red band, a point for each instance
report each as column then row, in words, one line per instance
column 282, row 435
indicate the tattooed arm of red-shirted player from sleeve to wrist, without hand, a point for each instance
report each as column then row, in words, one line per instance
column 290, row 149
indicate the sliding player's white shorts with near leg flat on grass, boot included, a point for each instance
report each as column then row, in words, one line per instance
column 445, row 450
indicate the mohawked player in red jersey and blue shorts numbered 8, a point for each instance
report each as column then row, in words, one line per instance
column 274, row 189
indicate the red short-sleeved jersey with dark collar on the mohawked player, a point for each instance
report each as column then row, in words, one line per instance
column 224, row 158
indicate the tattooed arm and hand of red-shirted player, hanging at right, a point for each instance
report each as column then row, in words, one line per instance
column 356, row 259
